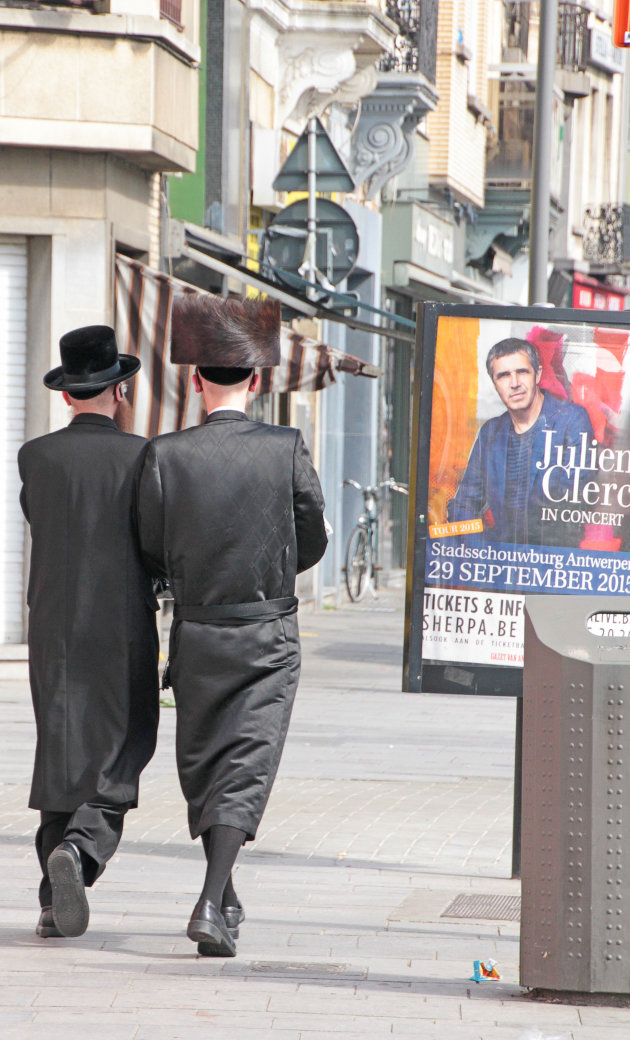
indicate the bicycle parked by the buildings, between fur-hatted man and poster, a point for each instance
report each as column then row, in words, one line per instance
column 361, row 568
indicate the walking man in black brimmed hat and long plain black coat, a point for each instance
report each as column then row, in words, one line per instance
column 92, row 634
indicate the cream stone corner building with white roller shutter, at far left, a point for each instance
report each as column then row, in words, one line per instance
column 97, row 100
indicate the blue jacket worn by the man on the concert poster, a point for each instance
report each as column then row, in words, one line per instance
column 484, row 484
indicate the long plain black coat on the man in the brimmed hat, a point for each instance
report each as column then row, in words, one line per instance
column 92, row 635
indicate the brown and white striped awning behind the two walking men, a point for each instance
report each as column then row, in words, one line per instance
column 161, row 396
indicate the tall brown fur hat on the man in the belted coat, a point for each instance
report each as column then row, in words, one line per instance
column 233, row 333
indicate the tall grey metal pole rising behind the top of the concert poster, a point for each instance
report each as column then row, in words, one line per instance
column 541, row 174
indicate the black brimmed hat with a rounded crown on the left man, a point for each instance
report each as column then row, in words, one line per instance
column 91, row 361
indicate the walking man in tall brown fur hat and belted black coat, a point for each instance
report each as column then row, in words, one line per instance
column 230, row 512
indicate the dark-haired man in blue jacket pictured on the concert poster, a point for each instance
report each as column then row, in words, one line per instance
column 506, row 482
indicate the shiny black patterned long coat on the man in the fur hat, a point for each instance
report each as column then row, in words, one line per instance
column 230, row 512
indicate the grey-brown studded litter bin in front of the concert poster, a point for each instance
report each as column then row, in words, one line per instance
column 576, row 795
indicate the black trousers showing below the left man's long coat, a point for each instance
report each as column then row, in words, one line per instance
column 96, row 830
